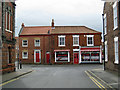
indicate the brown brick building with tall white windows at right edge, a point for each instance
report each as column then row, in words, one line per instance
column 112, row 35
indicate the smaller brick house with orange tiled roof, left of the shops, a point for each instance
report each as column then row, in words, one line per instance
column 34, row 43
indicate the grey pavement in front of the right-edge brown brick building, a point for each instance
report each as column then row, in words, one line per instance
column 110, row 78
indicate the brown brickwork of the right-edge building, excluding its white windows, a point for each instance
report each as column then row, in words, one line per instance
column 111, row 34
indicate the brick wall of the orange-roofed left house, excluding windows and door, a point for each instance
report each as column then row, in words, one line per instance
column 44, row 47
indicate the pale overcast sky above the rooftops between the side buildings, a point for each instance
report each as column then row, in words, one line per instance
column 64, row 12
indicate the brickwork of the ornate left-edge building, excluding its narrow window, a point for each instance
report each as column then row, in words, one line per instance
column 8, row 40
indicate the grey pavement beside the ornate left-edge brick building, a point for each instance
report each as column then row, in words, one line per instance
column 19, row 72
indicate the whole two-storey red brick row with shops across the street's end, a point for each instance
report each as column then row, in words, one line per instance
column 59, row 45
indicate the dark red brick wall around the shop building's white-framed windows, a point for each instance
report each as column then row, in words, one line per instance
column 69, row 44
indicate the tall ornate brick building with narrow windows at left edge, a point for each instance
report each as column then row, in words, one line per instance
column 8, row 36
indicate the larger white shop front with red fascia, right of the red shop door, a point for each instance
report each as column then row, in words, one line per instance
column 91, row 55
